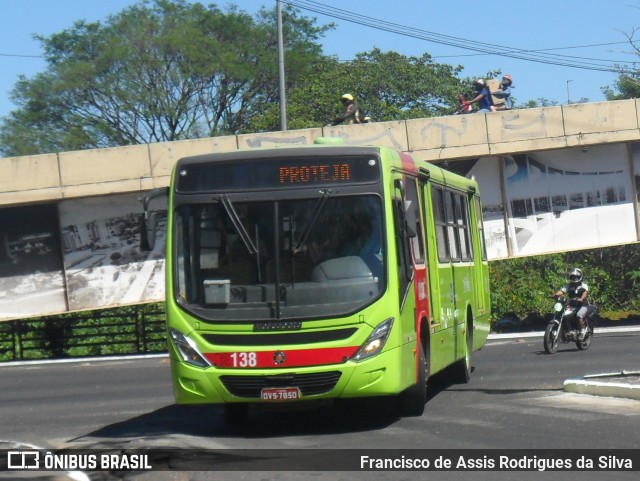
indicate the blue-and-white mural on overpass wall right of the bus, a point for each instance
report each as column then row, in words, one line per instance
column 558, row 200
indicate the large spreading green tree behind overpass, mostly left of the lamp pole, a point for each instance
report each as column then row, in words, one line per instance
column 157, row 71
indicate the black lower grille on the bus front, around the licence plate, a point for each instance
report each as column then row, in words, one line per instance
column 309, row 384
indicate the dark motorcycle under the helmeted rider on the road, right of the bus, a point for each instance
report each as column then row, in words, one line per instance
column 563, row 326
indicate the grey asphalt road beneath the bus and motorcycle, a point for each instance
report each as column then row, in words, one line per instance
column 513, row 401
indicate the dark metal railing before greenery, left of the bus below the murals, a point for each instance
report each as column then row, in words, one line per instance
column 130, row 330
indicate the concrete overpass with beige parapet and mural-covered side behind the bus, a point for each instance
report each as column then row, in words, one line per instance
column 68, row 218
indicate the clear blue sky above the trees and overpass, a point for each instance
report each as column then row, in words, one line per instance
column 567, row 29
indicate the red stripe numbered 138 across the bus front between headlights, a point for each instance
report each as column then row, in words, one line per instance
column 284, row 358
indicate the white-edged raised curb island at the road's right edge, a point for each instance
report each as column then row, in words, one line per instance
column 624, row 384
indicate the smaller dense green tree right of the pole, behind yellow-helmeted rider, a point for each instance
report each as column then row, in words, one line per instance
column 390, row 86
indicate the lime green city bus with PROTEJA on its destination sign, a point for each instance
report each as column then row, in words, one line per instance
column 320, row 272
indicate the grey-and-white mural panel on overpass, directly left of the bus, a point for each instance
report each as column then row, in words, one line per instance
column 103, row 263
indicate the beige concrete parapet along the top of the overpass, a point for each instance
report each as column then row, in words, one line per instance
column 50, row 177
